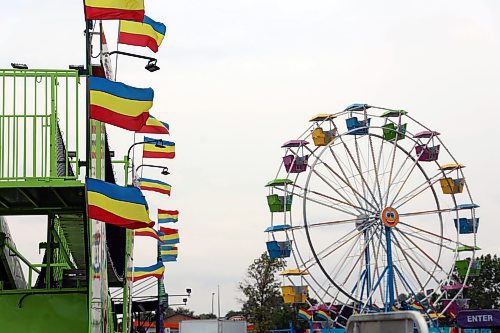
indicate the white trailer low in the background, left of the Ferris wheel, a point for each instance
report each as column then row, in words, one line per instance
column 212, row 326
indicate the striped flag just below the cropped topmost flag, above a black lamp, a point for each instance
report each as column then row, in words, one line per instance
column 147, row 33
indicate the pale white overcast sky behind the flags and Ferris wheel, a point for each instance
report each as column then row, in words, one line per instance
column 240, row 77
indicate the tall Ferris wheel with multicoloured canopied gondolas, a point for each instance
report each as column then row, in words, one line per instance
column 374, row 213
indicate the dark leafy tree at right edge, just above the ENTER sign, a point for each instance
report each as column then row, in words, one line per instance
column 484, row 291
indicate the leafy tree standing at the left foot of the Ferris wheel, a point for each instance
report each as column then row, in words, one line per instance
column 264, row 305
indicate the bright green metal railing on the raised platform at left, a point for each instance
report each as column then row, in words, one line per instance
column 39, row 124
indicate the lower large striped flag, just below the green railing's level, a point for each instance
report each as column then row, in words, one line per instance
column 122, row 206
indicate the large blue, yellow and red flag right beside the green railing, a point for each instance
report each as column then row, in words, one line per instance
column 120, row 105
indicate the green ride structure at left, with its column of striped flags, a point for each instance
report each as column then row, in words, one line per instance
column 56, row 164
